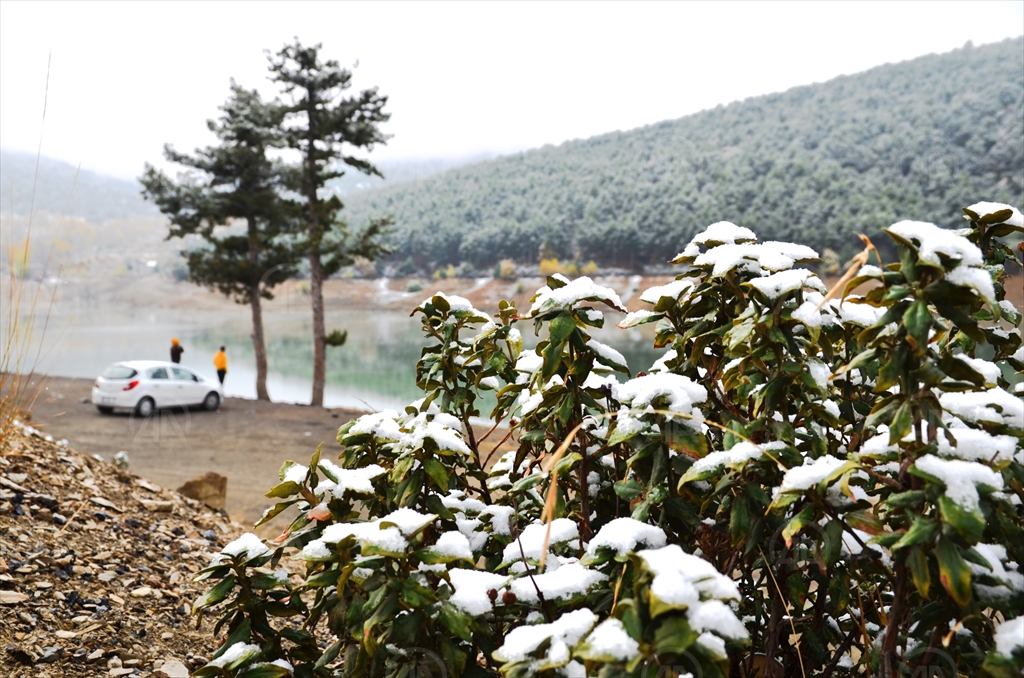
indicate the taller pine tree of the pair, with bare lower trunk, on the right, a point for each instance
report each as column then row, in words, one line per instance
column 320, row 123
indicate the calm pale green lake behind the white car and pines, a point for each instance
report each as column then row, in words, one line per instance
column 375, row 370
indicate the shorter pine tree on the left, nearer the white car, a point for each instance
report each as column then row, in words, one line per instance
column 236, row 181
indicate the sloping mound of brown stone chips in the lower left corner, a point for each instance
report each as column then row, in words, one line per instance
column 97, row 567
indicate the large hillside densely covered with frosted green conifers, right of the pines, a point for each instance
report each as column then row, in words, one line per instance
column 814, row 165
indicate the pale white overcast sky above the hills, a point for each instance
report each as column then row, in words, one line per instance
column 462, row 78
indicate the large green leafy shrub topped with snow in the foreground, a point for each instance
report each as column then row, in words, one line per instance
column 805, row 484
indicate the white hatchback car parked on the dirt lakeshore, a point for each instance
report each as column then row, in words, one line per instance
column 146, row 387
